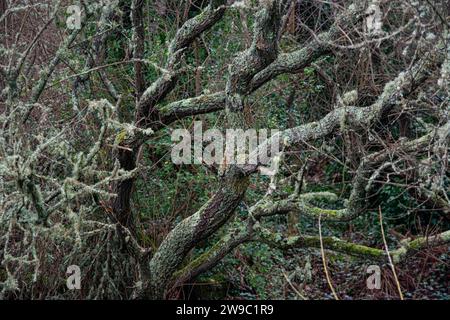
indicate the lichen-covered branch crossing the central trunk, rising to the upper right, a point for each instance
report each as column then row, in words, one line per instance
column 292, row 62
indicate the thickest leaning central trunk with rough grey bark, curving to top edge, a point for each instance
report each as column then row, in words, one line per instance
column 234, row 184
